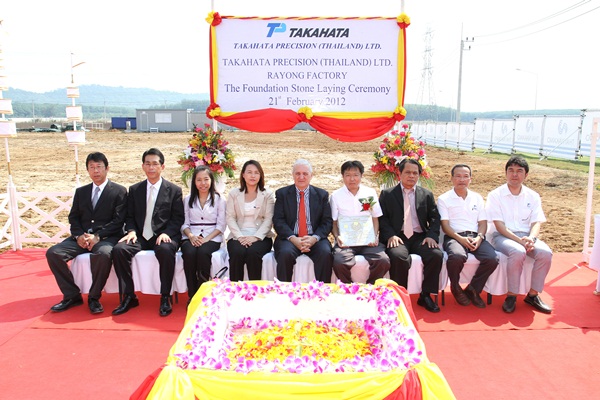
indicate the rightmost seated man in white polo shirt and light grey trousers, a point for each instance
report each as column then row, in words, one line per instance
column 517, row 214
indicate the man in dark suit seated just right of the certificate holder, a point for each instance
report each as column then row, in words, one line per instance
column 411, row 224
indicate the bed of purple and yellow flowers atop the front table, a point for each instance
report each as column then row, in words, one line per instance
column 377, row 342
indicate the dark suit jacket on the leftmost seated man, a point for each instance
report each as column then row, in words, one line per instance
column 107, row 219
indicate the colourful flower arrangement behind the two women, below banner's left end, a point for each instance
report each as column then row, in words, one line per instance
column 207, row 147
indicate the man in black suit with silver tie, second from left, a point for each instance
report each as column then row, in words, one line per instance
column 154, row 219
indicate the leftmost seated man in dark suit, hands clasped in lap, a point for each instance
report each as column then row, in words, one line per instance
column 96, row 217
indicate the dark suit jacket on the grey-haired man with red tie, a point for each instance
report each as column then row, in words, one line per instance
column 286, row 212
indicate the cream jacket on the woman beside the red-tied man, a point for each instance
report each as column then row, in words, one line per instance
column 263, row 213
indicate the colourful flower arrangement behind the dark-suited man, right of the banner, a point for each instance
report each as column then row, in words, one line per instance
column 397, row 146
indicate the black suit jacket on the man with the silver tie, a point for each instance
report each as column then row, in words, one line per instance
column 168, row 210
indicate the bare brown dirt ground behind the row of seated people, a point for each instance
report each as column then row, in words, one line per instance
column 44, row 162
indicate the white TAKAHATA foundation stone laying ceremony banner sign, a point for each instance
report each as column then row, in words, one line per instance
column 329, row 65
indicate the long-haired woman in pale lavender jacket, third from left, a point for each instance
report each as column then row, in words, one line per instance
column 202, row 229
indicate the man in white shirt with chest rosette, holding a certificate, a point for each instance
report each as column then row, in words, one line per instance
column 356, row 200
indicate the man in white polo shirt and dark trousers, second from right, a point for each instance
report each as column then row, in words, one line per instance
column 464, row 222
